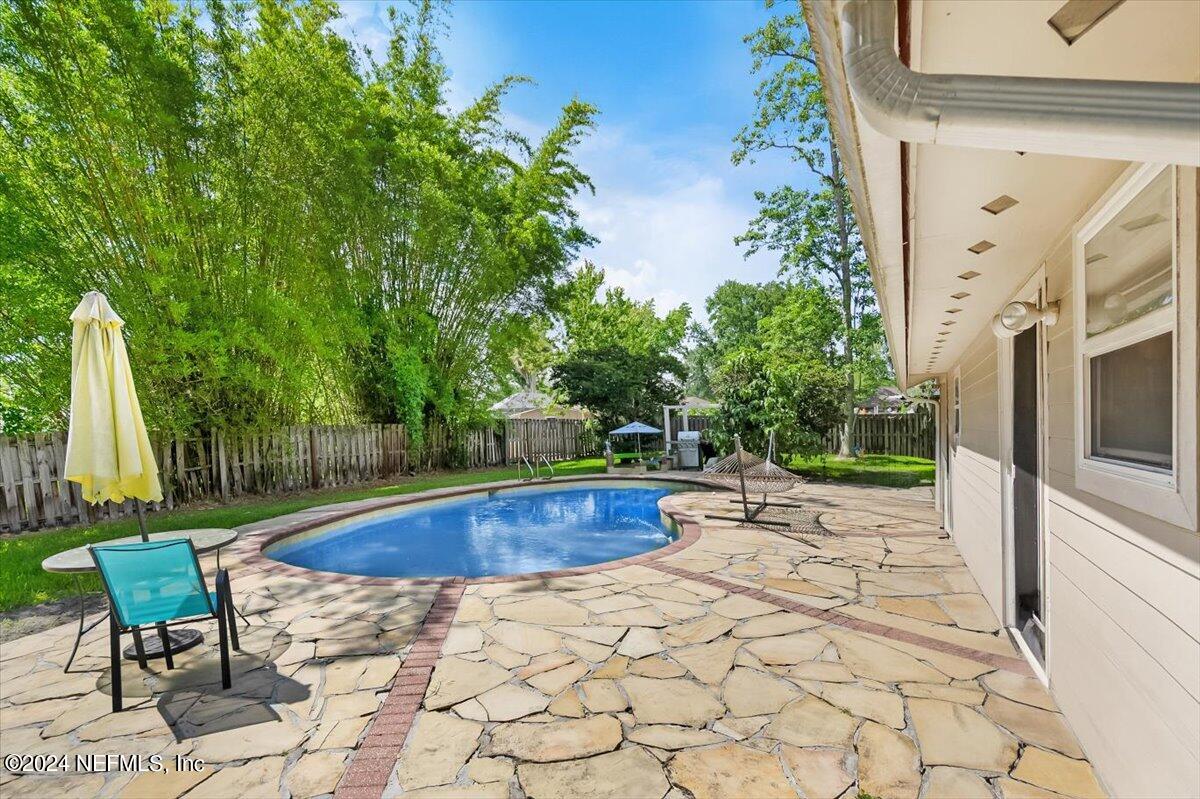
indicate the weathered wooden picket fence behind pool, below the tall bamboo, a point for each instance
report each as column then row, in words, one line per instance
column 220, row 465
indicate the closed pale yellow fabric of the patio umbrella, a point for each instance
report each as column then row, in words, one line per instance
column 109, row 450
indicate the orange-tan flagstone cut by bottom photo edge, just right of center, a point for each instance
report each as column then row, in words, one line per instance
column 730, row 771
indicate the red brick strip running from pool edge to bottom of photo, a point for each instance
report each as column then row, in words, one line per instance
column 373, row 765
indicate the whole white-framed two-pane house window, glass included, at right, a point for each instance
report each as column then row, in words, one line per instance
column 1130, row 444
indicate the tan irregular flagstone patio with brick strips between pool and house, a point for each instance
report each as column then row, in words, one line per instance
column 855, row 654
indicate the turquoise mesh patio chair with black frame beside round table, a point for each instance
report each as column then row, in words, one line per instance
column 158, row 585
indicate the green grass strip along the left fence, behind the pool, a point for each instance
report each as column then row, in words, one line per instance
column 23, row 582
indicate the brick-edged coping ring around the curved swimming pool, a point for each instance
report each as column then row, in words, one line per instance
column 256, row 538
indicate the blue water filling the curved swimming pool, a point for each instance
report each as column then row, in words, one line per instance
column 499, row 533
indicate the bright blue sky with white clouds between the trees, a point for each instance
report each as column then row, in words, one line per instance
column 673, row 82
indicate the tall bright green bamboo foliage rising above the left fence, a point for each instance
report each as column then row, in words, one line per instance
column 292, row 233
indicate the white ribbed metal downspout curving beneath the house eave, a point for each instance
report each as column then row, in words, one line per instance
column 1126, row 121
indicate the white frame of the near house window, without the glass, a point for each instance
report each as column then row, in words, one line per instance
column 1169, row 496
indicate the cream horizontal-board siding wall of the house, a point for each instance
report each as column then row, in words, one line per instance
column 1123, row 590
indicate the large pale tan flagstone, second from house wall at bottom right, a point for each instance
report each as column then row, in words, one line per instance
column 955, row 735
